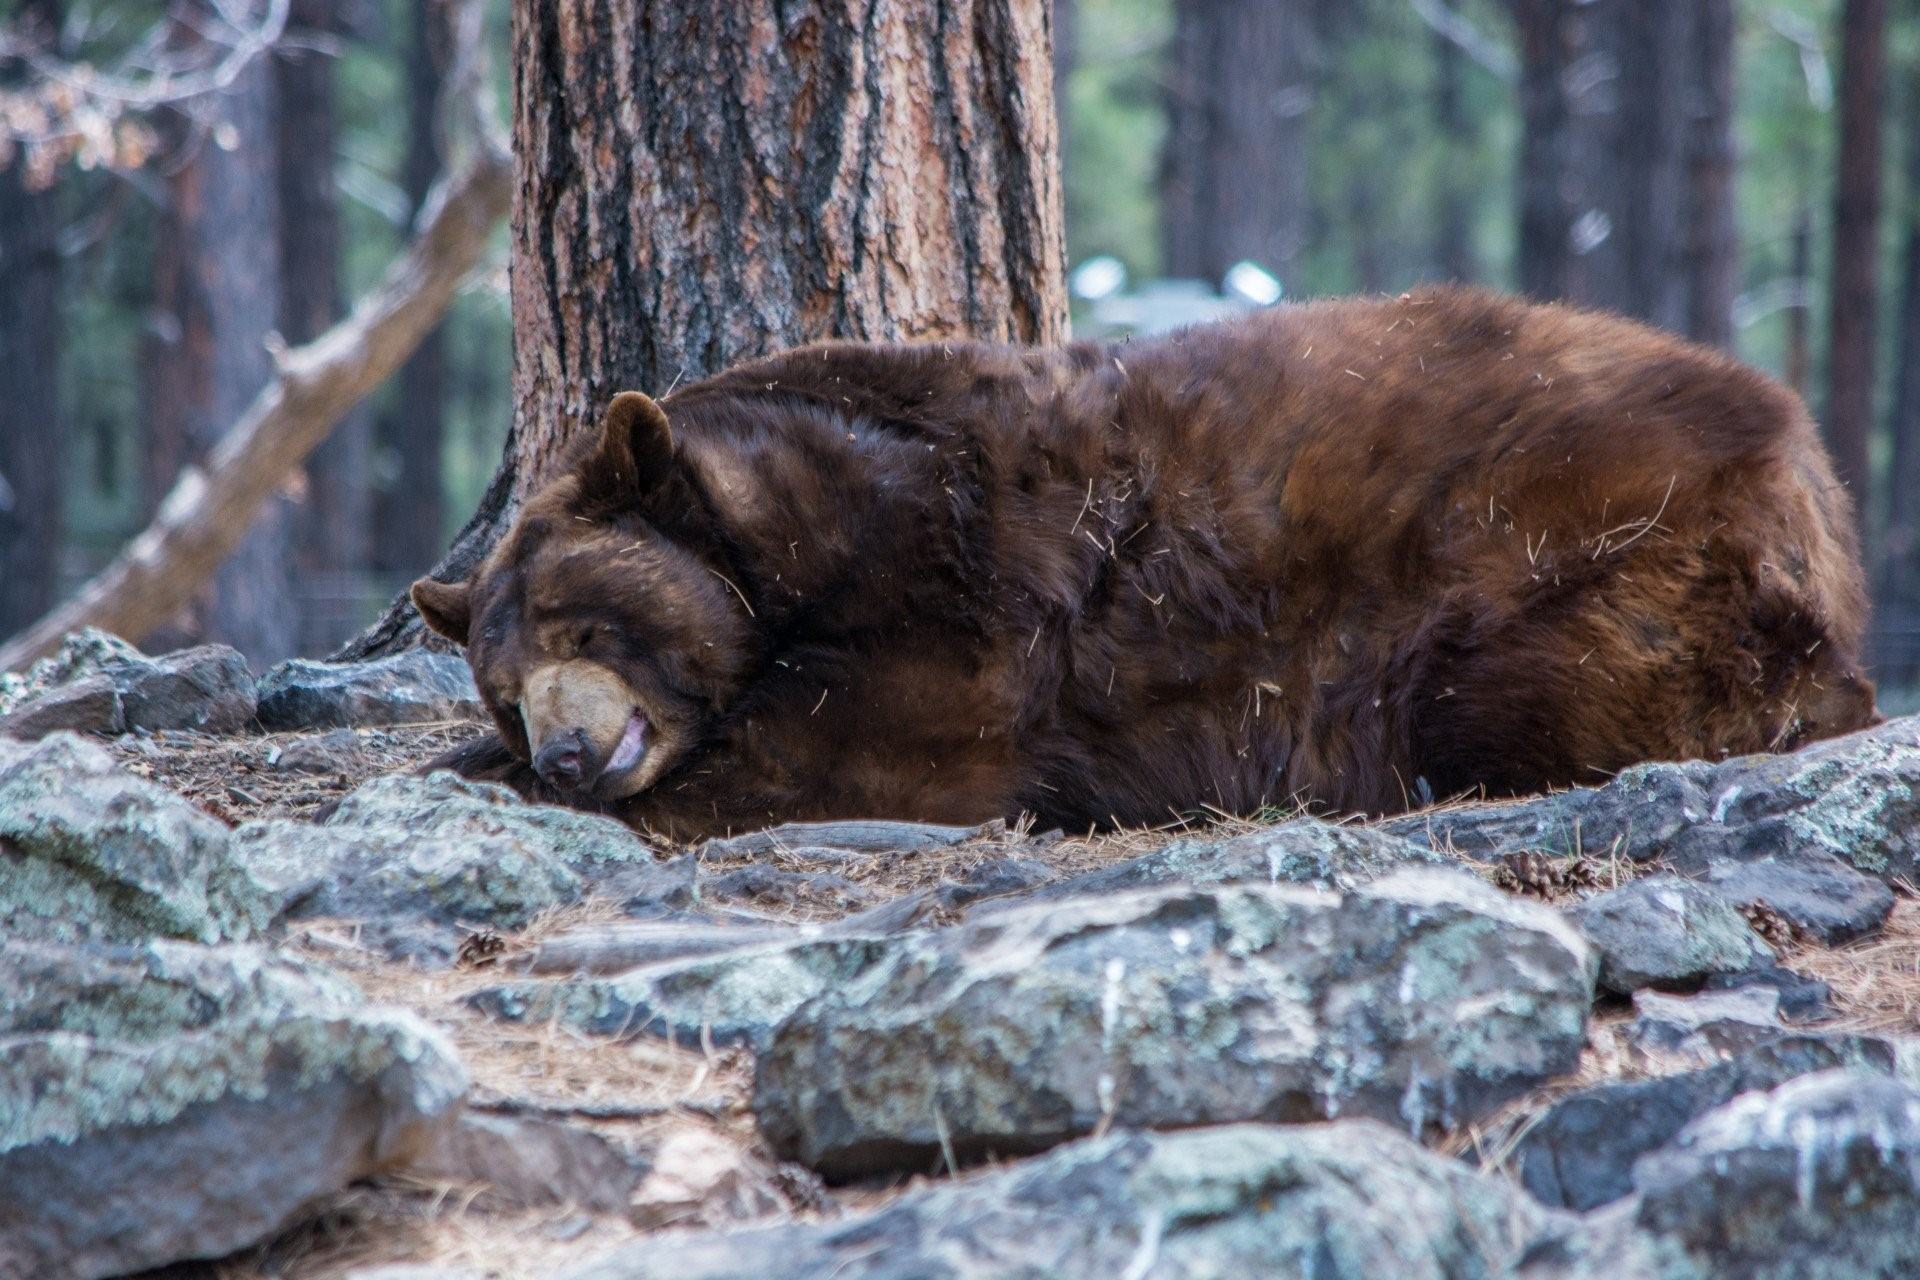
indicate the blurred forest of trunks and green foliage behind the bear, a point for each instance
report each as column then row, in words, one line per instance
column 1740, row 172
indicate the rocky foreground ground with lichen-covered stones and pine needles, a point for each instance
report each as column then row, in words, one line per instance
column 1668, row 1028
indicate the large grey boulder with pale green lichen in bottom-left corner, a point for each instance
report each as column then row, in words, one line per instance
column 174, row 1102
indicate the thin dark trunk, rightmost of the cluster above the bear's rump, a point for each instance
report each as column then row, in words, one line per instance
column 1714, row 235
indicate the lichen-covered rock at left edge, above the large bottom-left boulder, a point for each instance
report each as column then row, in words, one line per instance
column 93, row 853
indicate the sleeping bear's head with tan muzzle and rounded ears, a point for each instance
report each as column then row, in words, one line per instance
column 604, row 630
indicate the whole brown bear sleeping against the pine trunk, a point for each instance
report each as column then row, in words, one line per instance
column 1353, row 554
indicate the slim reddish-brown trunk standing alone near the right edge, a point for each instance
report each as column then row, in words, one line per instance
column 1850, row 410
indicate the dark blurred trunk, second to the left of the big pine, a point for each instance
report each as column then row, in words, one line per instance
column 331, row 529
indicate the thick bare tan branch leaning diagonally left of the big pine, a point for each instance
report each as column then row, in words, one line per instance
column 314, row 387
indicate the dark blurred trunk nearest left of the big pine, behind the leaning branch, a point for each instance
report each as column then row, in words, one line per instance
column 414, row 504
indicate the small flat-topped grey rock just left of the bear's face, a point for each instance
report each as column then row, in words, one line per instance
column 406, row 688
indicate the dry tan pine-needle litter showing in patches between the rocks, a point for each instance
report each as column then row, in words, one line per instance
column 646, row 1093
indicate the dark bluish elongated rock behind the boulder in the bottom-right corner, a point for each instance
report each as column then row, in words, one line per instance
column 1579, row 1154
